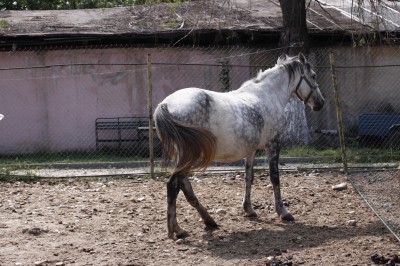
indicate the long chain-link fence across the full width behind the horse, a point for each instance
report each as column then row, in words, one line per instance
column 88, row 106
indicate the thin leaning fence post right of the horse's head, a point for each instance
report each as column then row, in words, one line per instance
column 338, row 111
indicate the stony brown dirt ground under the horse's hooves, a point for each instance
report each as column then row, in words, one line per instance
column 120, row 221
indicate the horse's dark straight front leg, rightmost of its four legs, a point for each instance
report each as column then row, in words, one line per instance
column 273, row 151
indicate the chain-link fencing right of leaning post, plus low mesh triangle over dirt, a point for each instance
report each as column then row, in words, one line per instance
column 370, row 107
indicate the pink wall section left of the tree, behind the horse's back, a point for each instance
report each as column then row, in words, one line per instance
column 54, row 108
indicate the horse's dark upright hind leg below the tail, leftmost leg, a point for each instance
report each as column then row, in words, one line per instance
column 173, row 187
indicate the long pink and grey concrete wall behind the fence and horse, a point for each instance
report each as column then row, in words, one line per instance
column 53, row 109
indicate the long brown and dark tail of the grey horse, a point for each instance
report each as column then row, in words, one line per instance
column 190, row 147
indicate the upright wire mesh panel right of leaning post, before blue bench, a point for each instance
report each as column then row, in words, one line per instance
column 370, row 102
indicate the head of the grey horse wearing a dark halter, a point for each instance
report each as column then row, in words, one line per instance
column 305, row 85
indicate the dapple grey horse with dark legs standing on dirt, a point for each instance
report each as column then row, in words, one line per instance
column 197, row 127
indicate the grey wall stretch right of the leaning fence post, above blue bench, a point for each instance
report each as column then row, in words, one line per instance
column 369, row 89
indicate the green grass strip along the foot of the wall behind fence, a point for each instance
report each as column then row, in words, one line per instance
column 10, row 163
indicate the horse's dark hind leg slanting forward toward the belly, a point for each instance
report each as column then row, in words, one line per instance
column 192, row 199
